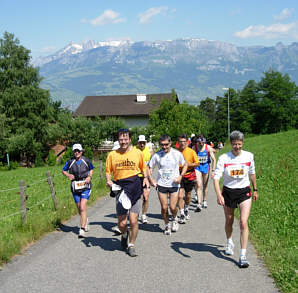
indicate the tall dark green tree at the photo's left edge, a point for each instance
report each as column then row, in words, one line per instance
column 27, row 108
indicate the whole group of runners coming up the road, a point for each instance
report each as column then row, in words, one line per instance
column 129, row 174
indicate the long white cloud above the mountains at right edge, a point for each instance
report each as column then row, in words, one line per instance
column 273, row 31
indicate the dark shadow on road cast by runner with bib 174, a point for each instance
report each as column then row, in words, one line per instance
column 212, row 248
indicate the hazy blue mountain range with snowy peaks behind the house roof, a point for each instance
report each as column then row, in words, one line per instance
column 196, row 68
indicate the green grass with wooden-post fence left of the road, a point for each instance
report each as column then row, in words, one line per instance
column 41, row 215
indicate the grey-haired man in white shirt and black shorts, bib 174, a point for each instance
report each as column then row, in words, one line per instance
column 238, row 168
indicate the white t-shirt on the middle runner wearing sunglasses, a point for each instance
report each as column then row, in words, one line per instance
column 168, row 166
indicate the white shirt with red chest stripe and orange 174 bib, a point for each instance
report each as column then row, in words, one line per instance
column 236, row 169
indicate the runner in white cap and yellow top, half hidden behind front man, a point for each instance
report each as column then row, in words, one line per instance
column 142, row 146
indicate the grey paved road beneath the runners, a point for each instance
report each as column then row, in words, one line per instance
column 190, row 260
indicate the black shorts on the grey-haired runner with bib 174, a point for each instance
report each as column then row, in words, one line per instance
column 234, row 196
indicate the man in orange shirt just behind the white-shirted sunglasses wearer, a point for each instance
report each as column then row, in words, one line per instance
column 188, row 180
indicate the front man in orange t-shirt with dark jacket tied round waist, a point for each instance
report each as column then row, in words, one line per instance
column 125, row 164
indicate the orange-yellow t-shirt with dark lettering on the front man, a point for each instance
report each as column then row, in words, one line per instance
column 125, row 165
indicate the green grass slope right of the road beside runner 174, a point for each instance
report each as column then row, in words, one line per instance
column 274, row 219
